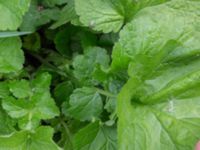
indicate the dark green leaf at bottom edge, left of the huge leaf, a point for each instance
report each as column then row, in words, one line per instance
column 95, row 137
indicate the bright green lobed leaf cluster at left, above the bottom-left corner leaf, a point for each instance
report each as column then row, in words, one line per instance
column 38, row 105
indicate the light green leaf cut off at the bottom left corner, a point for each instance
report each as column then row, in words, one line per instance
column 24, row 140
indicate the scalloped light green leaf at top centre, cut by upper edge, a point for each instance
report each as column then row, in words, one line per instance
column 110, row 15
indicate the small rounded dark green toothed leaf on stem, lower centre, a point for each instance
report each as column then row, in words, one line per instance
column 85, row 104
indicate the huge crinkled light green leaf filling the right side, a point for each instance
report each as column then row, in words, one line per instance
column 158, row 108
